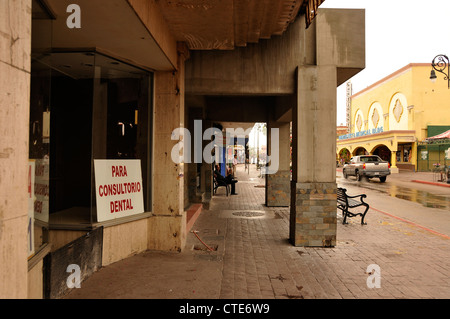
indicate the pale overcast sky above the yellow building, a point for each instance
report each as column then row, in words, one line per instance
column 398, row 32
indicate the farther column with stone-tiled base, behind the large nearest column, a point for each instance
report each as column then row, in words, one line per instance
column 278, row 184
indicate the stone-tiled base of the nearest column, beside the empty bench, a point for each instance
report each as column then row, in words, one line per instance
column 313, row 214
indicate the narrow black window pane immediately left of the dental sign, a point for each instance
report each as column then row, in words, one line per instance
column 71, row 138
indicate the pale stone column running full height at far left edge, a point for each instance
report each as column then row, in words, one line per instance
column 15, row 66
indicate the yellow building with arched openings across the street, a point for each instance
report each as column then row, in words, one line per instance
column 393, row 116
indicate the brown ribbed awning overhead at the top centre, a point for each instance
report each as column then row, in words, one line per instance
column 226, row 24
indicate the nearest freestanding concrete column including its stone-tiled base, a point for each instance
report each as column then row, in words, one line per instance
column 313, row 188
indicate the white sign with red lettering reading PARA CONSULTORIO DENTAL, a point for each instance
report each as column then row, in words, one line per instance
column 118, row 188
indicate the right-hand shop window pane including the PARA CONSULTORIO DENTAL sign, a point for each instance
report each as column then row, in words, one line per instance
column 121, row 132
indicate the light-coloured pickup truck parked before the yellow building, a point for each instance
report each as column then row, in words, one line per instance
column 368, row 166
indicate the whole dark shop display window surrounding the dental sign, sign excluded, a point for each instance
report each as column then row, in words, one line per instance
column 97, row 108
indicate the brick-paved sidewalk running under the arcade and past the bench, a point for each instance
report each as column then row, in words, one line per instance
column 259, row 262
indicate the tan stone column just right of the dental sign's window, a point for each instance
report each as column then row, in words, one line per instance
column 167, row 228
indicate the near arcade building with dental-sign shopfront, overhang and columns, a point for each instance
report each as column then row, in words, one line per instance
column 94, row 95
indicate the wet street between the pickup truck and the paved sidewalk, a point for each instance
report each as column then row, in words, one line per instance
column 425, row 205
